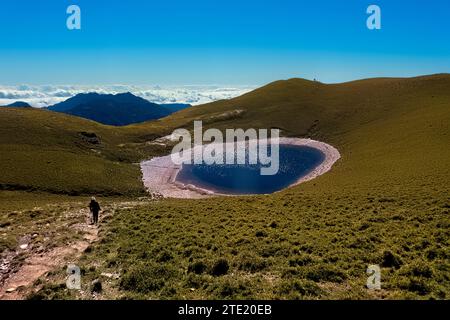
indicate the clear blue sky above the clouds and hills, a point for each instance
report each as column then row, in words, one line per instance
column 219, row 42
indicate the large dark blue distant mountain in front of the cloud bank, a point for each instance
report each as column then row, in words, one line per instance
column 115, row 109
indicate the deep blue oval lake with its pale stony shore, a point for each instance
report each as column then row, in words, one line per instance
column 299, row 160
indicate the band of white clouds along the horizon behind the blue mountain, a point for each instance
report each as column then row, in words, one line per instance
column 45, row 95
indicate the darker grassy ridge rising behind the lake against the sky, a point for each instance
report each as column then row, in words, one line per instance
column 301, row 107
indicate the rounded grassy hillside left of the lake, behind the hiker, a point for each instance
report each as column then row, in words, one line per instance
column 47, row 151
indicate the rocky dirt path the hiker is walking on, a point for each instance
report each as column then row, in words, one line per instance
column 22, row 267
